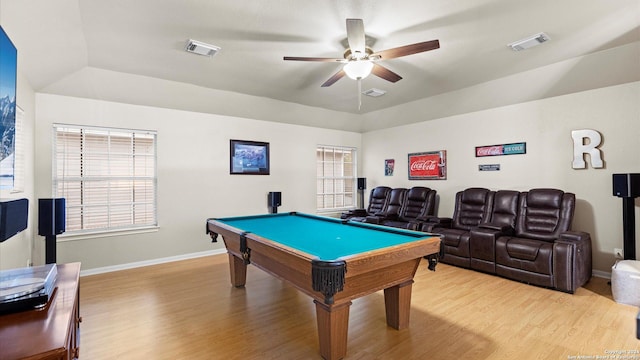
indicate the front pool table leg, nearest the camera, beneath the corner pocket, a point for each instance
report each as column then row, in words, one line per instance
column 333, row 325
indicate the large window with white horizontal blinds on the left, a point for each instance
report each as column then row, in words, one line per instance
column 107, row 176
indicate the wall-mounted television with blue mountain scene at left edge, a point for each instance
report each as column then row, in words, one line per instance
column 8, row 89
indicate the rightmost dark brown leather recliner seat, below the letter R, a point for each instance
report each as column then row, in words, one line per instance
column 543, row 250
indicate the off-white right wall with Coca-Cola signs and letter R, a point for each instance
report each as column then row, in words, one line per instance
column 545, row 125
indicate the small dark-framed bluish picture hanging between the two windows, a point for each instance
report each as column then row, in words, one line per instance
column 249, row 157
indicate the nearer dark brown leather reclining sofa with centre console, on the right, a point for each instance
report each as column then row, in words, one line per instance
column 524, row 236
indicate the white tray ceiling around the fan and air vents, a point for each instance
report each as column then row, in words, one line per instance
column 57, row 38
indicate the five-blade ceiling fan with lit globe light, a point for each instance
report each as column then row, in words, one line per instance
column 360, row 60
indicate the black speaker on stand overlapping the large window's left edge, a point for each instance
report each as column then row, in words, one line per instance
column 51, row 222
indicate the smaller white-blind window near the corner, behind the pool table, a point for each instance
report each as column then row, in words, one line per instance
column 336, row 177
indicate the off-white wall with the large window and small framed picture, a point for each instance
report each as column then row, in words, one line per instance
column 193, row 173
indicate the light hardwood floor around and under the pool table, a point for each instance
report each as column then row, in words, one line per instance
column 189, row 310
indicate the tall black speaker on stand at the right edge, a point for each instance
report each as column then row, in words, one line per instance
column 627, row 186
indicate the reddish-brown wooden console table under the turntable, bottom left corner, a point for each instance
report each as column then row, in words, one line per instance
column 51, row 333
